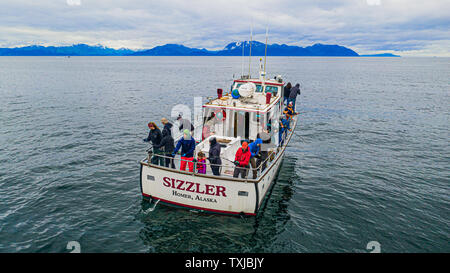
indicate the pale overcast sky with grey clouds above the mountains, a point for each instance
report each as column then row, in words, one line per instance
column 406, row 27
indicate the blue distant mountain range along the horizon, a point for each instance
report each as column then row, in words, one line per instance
column 232, row 49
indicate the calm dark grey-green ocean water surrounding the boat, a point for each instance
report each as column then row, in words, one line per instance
column 370, row 161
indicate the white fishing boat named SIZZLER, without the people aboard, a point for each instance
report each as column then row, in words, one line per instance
column 254, row 106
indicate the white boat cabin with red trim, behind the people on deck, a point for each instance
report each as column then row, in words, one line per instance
column 250, row 107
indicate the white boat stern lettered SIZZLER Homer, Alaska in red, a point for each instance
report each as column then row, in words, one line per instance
column 198, row 192
